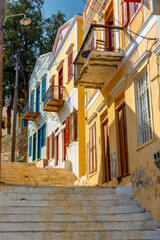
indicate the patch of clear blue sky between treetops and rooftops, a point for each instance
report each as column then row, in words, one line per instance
column 68, row 7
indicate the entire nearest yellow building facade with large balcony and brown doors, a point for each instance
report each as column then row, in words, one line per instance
column 118, row 66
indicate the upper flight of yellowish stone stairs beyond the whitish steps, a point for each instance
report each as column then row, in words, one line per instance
column 29, row 174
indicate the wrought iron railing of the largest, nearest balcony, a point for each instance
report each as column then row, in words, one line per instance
column 103, row 41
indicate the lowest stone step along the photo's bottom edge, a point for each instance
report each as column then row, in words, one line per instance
column 82, row 235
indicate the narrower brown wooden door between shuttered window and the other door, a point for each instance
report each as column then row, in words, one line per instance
column 107, row 162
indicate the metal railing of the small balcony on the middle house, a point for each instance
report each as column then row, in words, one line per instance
column 56, row 92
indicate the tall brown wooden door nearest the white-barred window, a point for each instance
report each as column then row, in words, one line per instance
column 123, row 140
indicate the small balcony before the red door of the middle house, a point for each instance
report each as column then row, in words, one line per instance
column 54, row 98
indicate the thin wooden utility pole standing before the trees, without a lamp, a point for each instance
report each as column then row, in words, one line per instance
column 15, row 111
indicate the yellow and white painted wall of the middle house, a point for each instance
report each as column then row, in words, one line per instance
column 74, row 98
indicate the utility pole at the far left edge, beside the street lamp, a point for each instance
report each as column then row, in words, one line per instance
column 2, row 13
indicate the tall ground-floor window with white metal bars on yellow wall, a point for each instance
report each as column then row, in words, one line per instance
column 144, row 121
